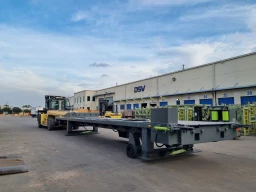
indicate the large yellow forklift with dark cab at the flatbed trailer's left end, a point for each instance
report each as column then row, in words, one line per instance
column 55, row 106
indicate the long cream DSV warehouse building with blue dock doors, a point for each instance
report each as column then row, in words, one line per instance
column 229, row 81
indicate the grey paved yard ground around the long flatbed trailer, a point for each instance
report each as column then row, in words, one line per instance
column 98, row 163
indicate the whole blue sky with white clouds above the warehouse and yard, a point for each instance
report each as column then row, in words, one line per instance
column 64, row 46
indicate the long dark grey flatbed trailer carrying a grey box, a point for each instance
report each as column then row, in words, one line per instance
column 170, row 135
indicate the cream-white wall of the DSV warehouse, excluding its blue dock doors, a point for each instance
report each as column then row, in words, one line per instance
column 193, row 83
